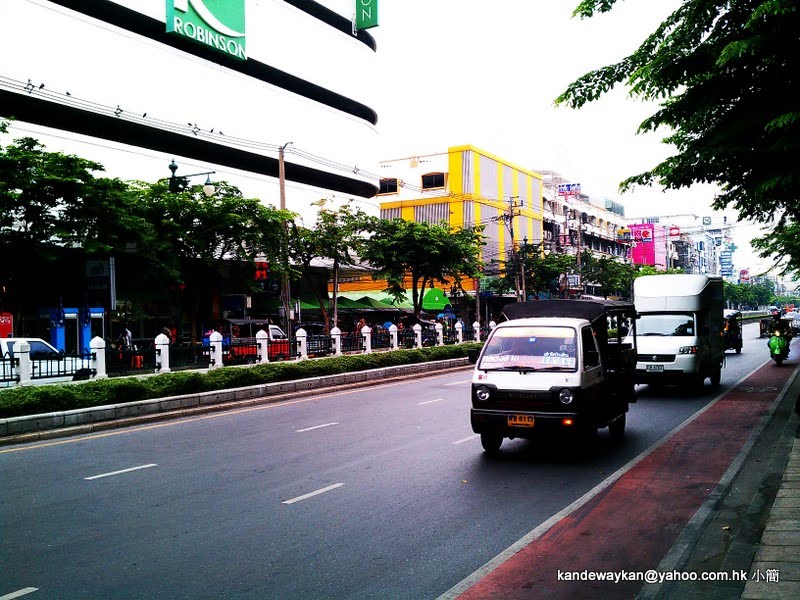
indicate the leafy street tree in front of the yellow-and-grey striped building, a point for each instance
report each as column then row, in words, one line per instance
column 416, row 256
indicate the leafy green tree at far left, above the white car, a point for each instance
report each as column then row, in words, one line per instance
column 50, row 203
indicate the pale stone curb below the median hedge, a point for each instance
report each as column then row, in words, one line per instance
column 33, row 428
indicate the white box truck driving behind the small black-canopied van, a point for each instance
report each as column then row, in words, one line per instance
column 679, row 329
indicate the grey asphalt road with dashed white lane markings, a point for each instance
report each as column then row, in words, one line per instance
column 381, row 492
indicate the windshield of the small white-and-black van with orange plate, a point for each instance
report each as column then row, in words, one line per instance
column 530, row 349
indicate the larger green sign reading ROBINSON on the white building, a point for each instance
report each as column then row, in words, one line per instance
column 216, row 23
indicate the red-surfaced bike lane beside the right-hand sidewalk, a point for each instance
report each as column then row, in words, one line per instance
column 632, row 524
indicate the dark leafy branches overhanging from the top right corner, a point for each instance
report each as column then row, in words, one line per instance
column 723, row 75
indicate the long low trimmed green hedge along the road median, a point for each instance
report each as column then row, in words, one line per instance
column 33, row 400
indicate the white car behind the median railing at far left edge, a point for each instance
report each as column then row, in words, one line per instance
column 48, row 365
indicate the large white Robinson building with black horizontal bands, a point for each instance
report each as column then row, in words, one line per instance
column 134, row 84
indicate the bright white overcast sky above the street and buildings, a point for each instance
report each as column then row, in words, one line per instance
column 481, row 72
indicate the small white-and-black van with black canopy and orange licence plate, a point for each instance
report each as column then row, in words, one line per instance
column 555, row 366
